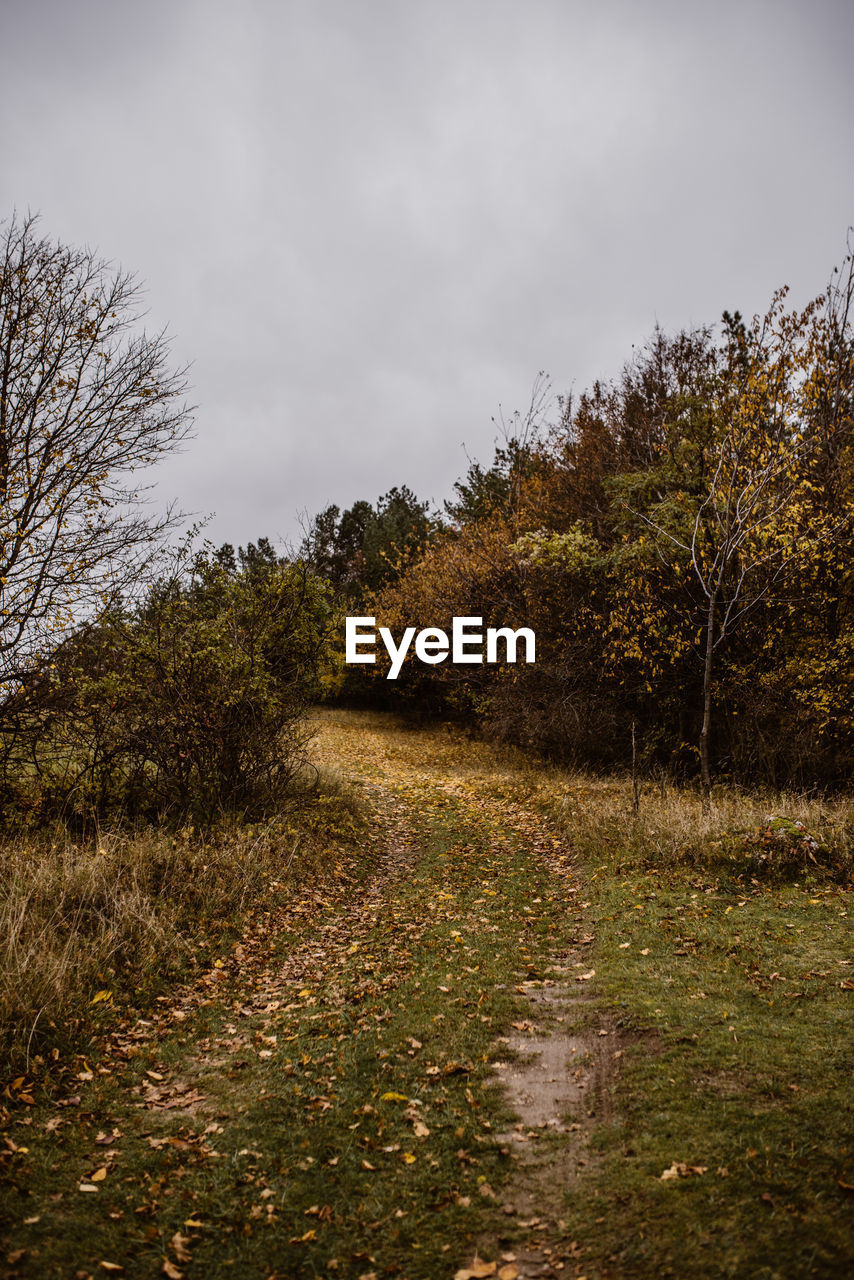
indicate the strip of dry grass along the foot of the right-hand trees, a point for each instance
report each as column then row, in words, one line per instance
column 669, row 829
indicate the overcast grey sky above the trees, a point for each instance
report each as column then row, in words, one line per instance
column 371, row 225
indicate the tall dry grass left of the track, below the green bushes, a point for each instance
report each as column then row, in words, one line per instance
column 124, row 915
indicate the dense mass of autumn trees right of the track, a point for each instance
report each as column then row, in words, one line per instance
column 681, row 540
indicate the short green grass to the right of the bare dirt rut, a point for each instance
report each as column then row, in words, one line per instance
column 737, row 1071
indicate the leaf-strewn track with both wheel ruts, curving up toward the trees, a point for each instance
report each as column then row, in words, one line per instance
column 396, row 1076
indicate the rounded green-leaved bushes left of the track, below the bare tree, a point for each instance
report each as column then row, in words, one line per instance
column 186, row 707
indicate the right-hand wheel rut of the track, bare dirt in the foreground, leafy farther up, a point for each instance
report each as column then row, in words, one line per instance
column 555, row 1067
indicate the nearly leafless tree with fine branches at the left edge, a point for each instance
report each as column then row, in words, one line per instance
column 86, row 401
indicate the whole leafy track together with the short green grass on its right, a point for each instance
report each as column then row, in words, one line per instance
column 326, row 1101
